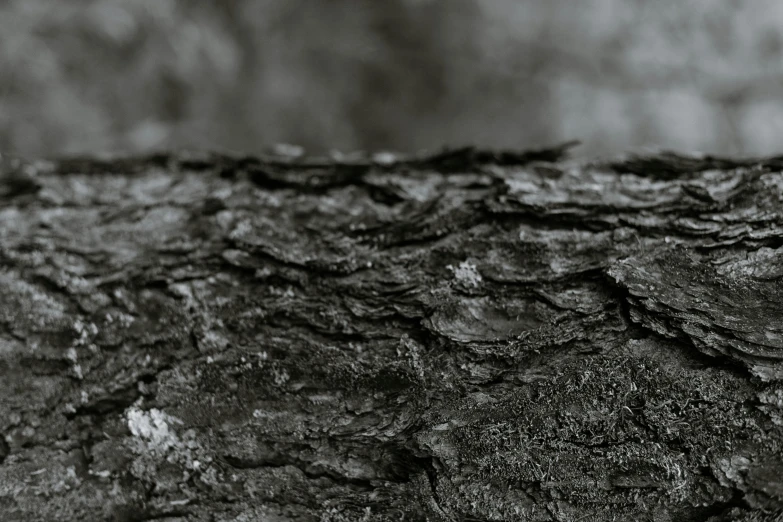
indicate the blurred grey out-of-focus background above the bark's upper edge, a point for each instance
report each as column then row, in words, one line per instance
column 401, row 75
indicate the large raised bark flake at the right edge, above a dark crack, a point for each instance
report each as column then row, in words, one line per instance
column 730, row 314
